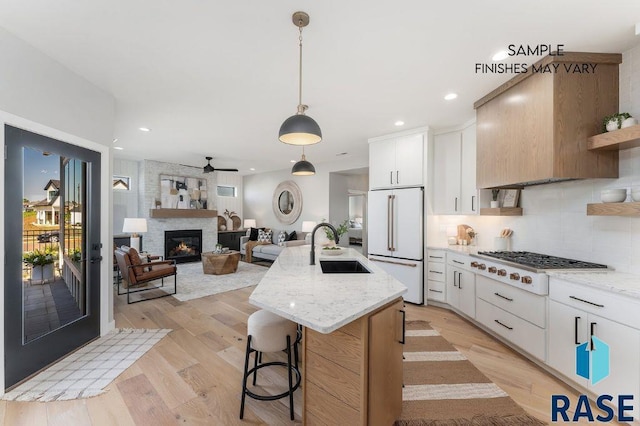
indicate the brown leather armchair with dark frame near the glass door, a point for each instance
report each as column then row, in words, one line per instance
column 137, row 275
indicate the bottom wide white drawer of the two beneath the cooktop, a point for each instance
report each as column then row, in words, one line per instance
column 521, row 333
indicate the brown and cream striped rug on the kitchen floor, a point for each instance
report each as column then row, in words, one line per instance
column 442, row 387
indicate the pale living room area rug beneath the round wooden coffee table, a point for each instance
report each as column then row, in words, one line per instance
column 193, row 283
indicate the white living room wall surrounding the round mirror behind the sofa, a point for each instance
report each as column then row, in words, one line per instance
column 258, row 193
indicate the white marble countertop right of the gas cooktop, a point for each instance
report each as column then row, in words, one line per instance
column 617, row 282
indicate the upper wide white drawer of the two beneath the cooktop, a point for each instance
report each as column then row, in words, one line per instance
column 523, row 304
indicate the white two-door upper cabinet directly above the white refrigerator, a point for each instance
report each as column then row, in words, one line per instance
column 396, row 162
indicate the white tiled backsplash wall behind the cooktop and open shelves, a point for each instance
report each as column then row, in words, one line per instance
column 555, row 220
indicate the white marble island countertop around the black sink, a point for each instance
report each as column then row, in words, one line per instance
column 323, row 302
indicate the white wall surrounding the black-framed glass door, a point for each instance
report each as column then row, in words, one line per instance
column 40, row 95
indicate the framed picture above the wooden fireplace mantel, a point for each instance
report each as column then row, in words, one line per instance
column 182, row 192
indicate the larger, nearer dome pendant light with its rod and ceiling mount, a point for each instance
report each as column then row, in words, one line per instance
column 300, row 129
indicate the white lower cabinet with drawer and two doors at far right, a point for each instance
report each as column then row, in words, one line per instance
column 574, row 322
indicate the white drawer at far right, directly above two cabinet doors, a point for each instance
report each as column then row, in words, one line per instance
column 609, row 305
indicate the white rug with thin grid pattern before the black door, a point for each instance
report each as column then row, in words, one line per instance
column 90, row 369
